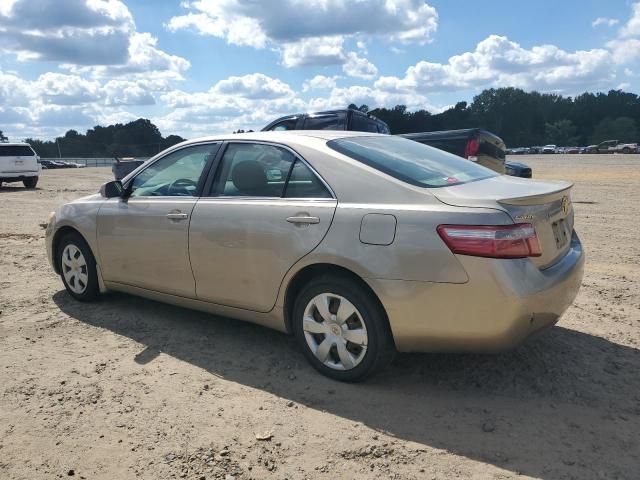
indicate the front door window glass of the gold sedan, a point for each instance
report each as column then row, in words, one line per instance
column 176, row 174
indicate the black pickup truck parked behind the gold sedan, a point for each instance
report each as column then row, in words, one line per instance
column 473, row 144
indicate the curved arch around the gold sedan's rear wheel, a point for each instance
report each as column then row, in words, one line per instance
column 315, row 270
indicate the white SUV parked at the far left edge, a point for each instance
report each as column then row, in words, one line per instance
column 19, row 162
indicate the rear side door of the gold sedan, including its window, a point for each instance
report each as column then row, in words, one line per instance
column 266, row 210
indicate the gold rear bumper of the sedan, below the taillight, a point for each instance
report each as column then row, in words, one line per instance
column 504, row 302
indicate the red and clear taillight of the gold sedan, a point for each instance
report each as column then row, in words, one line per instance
column 494, row 241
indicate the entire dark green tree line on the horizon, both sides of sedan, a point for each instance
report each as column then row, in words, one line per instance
column 520, row 118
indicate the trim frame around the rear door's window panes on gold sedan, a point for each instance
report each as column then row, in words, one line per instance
column 215, row 171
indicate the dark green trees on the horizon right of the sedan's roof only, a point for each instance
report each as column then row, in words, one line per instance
column 530, row 118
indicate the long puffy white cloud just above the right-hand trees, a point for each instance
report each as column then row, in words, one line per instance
column 498, row 61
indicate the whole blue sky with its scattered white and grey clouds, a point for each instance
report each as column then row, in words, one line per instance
column 209, row 66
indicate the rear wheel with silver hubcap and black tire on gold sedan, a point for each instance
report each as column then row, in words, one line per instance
column 364, row 311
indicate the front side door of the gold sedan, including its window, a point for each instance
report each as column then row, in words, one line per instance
column 143, row 239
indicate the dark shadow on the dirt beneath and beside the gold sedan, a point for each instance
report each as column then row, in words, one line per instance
column 564, row 405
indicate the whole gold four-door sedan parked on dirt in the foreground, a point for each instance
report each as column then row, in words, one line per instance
column 359, row 244
